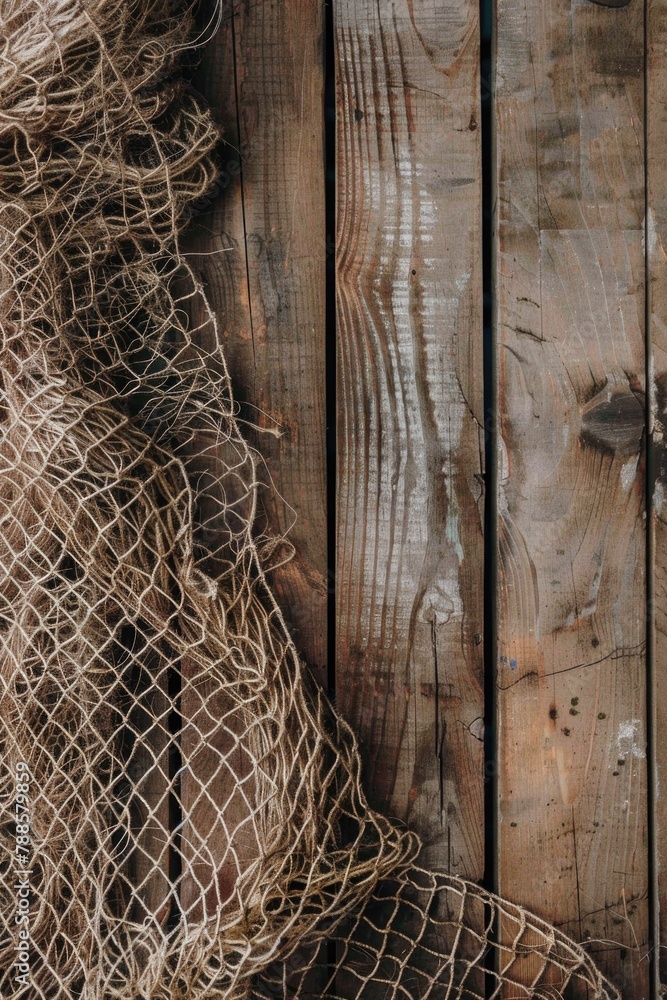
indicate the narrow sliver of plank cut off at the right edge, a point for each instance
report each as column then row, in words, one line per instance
column 656, row 247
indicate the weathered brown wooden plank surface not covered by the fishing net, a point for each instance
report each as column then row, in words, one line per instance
column 562, row 812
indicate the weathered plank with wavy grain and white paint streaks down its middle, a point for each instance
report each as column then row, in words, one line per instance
column 410, row 402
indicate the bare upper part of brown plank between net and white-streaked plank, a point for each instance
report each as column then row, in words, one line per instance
column 262, row 252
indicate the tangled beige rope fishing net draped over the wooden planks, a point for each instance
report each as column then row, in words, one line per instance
column 181, row 810
